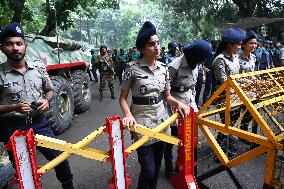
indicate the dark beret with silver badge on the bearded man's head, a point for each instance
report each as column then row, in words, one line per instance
column 12, row 30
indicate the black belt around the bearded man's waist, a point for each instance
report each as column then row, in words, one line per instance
column 23, row 120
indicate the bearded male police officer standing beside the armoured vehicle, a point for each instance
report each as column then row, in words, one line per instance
column 25, row 92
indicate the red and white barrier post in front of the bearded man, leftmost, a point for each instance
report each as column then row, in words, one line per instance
column 23, row 146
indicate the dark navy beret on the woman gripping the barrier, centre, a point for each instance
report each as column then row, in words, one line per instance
column 145, row 33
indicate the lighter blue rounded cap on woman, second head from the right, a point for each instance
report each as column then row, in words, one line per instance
column 233, row 35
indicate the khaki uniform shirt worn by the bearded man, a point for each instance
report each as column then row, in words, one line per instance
column 30, row 86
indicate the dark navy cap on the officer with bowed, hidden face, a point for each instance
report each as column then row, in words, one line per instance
column 197, row 52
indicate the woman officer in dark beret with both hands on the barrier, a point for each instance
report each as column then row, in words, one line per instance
column 148, row 80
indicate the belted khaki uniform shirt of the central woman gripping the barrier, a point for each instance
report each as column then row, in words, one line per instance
column 146, row 83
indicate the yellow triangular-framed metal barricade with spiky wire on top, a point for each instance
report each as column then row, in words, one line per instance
column 258, row 94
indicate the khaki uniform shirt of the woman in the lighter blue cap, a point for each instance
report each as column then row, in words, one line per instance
column 224, row 66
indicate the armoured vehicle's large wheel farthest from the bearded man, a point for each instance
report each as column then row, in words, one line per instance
column 81, row 91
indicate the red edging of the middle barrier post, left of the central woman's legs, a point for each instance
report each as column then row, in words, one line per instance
column 109, row 124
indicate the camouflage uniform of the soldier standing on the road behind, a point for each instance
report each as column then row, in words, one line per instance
column 107, row 71
